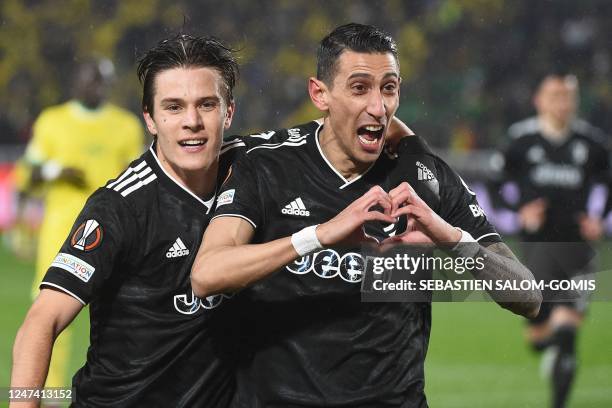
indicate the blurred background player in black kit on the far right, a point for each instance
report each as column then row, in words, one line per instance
column 555, row 160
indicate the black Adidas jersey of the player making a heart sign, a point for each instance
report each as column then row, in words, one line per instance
column 307, row 339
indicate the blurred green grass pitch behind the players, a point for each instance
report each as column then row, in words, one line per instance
column 477, row 357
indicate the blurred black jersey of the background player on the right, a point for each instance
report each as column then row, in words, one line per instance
column 563, row 174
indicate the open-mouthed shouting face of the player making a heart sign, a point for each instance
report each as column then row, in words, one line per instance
column 362, row 101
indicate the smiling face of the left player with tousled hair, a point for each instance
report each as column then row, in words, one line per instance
column 190, row 115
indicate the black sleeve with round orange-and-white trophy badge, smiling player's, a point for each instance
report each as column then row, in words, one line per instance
column 99, row 241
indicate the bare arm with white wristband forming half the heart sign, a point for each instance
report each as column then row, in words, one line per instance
column 227, row 262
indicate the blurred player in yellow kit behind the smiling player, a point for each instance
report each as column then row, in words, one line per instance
column 76, row 147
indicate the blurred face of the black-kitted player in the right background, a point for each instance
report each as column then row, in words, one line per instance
column 557, row 99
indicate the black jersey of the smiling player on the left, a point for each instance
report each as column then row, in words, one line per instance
column 129, row 256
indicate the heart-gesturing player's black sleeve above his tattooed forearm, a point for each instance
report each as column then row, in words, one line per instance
column 460, row 206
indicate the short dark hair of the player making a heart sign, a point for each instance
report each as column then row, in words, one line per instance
column 354, row 37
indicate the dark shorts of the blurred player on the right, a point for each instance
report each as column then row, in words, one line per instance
column 559, row 261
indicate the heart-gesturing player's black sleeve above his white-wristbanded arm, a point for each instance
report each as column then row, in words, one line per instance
column 239, row 195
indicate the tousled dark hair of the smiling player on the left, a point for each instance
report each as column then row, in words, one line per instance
column 185, row 51
